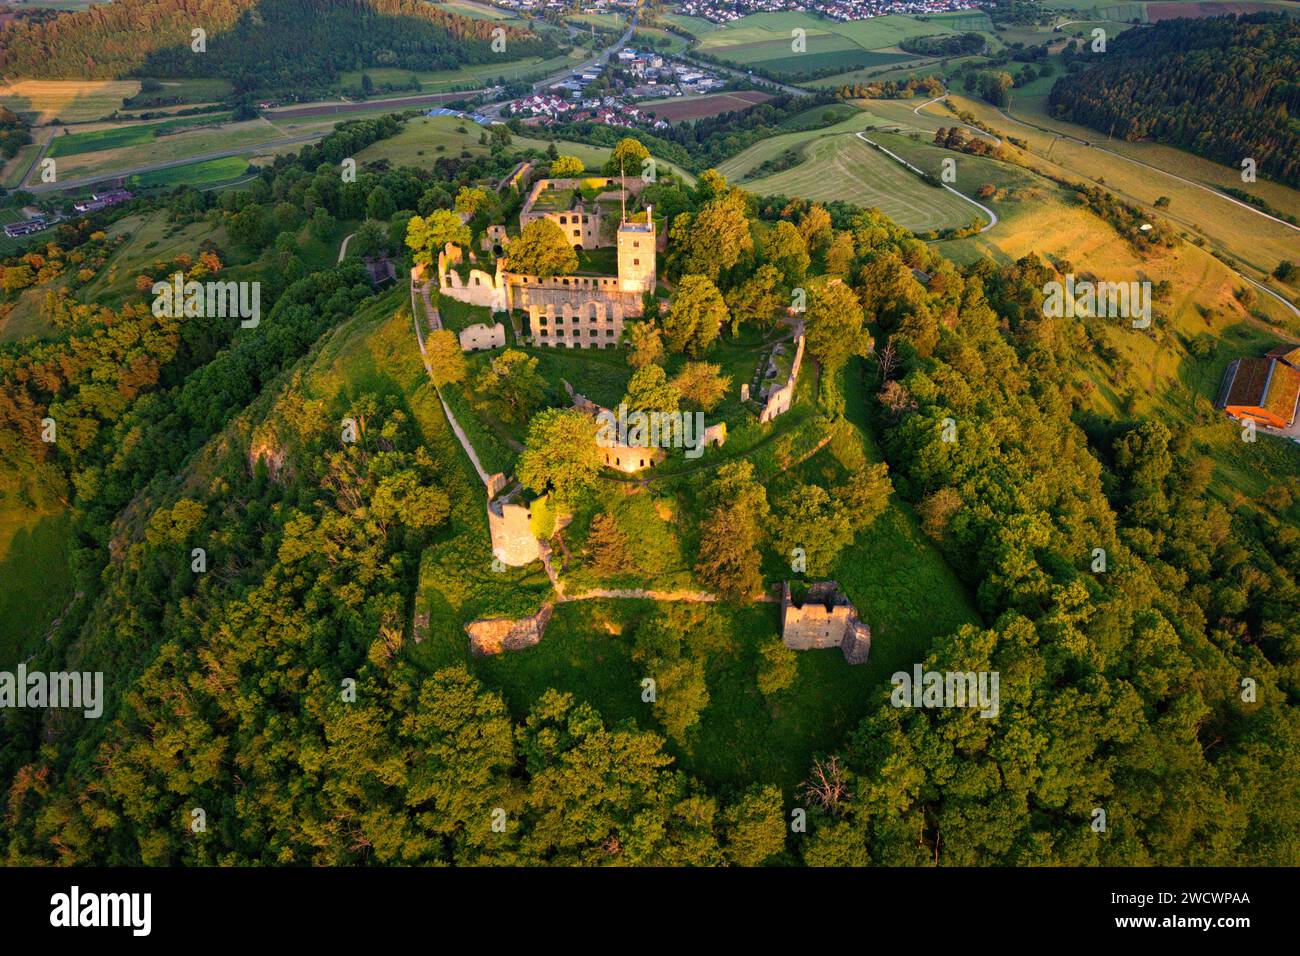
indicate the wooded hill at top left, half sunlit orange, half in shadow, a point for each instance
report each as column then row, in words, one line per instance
column 255, row 44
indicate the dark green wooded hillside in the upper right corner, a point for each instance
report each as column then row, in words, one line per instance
column 1224, row 88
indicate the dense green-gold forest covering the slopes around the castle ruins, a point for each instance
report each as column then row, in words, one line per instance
column 1121, row 690
